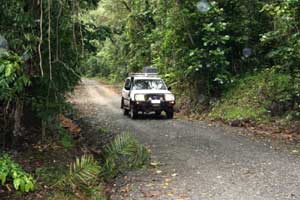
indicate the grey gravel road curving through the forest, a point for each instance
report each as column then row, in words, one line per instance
column 198, row 160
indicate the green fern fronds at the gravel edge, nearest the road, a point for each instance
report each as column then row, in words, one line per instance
column 123, row 154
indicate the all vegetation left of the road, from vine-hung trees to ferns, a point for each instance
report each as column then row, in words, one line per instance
column 43, row 46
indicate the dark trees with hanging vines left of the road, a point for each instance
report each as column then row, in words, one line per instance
column 42, row 43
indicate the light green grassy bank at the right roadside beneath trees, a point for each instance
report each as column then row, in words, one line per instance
column 252, row 96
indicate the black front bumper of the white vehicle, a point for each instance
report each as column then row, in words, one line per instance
column 147, row 106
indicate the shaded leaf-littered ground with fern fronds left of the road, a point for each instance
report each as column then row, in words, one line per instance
column 69, row 167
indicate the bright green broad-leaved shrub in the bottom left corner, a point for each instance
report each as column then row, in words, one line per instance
column 9, row 170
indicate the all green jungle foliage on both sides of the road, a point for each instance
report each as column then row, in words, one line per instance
column 236, row 59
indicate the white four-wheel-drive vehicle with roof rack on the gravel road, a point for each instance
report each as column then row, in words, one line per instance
column 145, row 93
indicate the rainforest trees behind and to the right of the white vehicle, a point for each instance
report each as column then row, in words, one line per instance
column 206, row 50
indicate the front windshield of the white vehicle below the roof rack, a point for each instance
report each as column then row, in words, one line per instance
column 149, row 85
